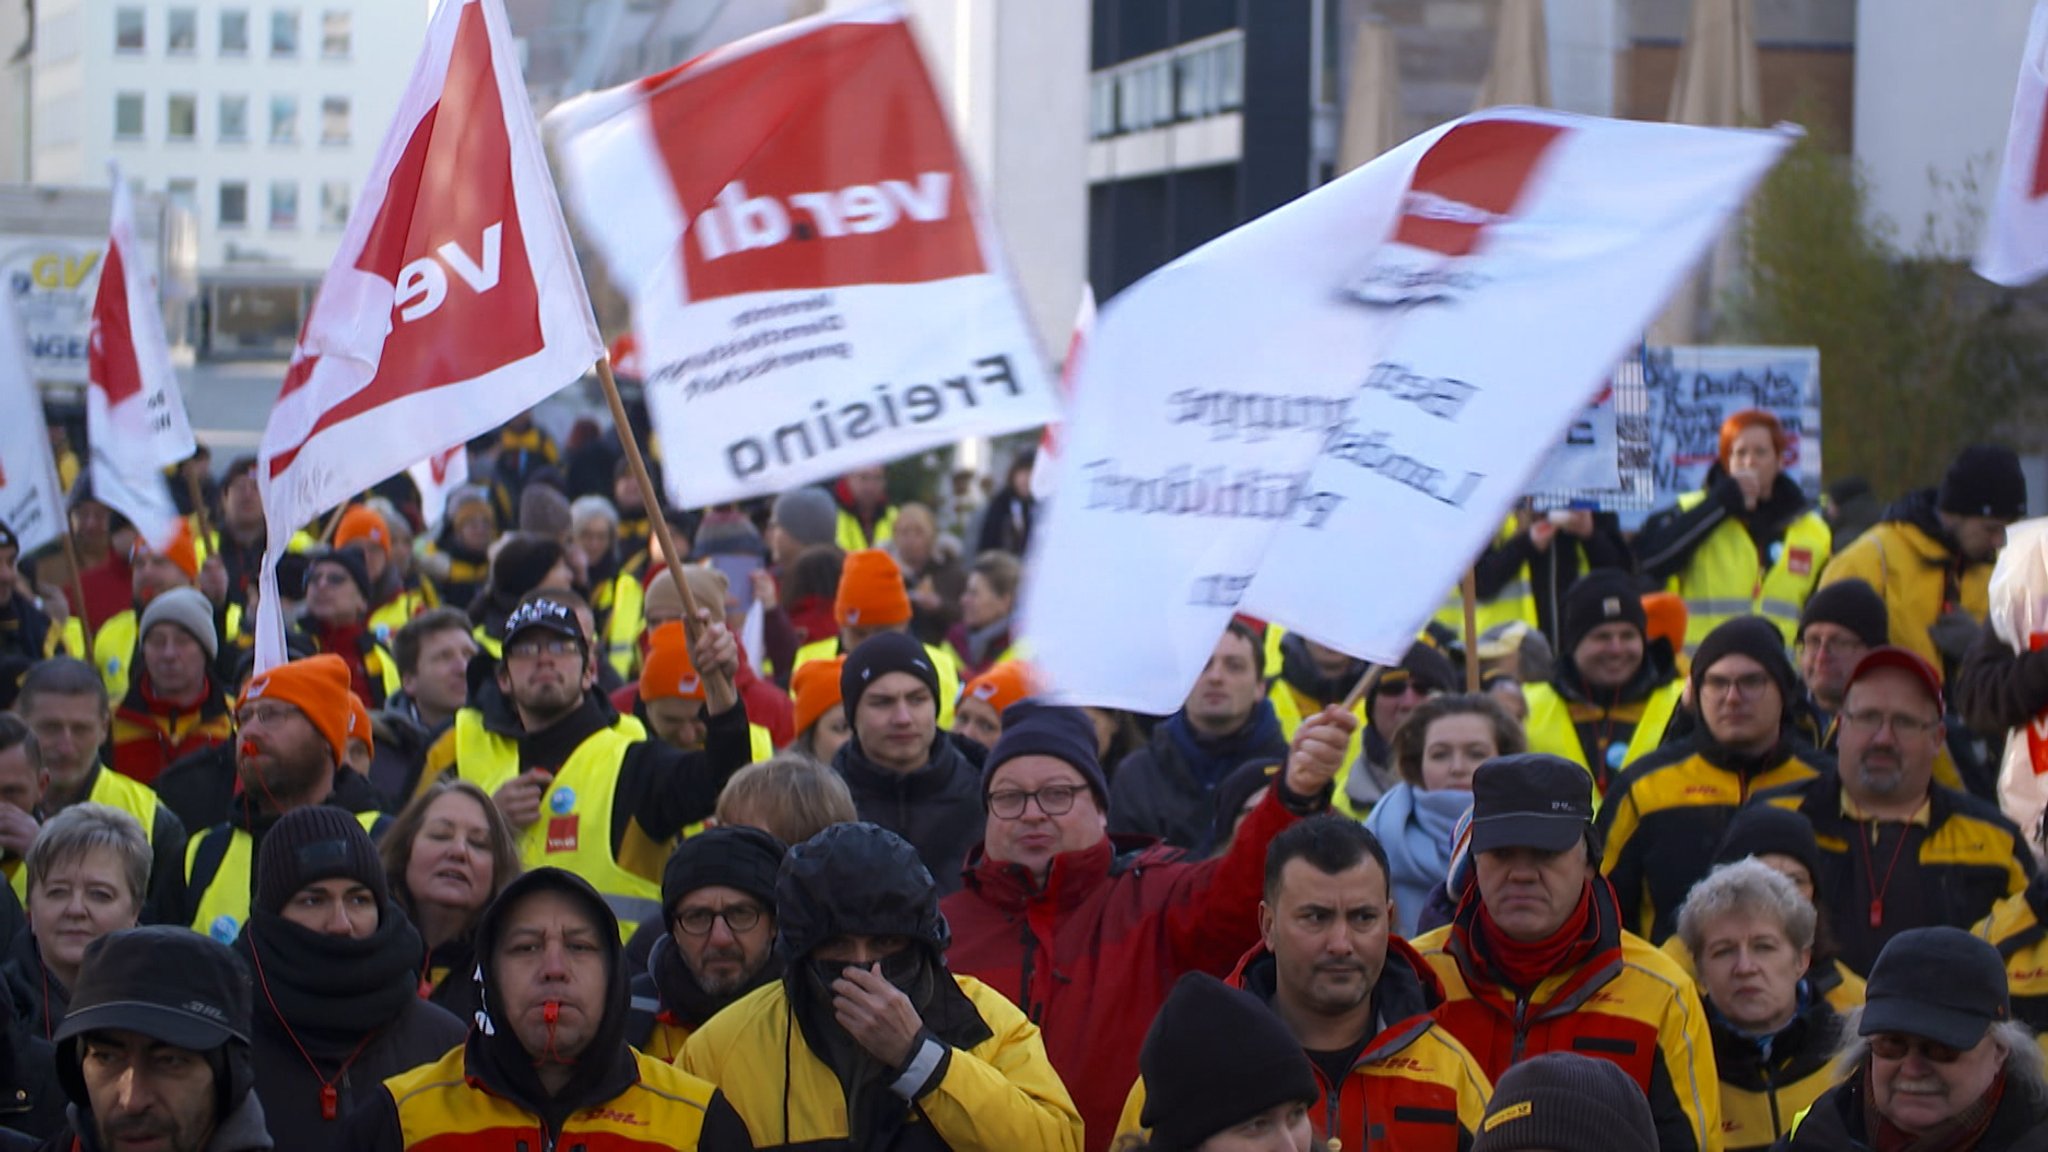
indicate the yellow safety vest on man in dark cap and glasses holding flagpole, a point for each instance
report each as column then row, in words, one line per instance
column 583, row 790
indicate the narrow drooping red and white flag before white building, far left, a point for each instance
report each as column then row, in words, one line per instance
column 136, row 423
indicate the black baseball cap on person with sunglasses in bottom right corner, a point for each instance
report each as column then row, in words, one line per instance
column 1957, row 1010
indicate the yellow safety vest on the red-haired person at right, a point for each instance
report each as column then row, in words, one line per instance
column 1725, row 579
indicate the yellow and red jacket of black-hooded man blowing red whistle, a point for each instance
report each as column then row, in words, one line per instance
column 441, row 1110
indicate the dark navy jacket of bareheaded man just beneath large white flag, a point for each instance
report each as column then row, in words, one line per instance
column 1168, row 788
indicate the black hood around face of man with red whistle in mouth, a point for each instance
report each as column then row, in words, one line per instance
column 497, row 1057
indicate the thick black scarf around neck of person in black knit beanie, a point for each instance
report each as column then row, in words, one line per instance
column 331, row 991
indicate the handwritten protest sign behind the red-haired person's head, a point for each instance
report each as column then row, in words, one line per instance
column 1695, row 388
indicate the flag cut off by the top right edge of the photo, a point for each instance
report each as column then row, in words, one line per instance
column 2016, row 237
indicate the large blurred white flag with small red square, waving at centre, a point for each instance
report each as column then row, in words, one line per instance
column 1320, row 417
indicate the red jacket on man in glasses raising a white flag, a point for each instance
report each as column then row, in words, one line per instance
column 1093, row 956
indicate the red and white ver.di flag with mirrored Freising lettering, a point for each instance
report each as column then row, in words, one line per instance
column 814, row 282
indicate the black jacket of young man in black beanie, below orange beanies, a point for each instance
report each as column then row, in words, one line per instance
column 937, row 809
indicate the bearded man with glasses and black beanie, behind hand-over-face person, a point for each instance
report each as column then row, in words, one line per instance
column 718, row 893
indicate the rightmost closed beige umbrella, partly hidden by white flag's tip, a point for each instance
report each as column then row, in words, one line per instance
column 1719, row 87
